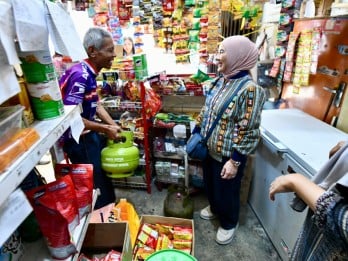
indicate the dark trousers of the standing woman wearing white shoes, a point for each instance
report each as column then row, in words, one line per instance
column 223, row 194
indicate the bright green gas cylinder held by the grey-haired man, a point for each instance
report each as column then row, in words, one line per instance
column 120, row 158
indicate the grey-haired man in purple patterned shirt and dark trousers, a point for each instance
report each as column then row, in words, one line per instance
column 79, row 86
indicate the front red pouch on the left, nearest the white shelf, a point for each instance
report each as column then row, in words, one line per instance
column 55, row 208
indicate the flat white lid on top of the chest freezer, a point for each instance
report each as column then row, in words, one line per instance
column 306, row 139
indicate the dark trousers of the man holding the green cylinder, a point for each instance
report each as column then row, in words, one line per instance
column 88, row 151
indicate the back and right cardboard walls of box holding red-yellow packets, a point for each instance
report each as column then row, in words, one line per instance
column 153, row 219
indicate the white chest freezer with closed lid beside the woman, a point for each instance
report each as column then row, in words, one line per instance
column 292, row 141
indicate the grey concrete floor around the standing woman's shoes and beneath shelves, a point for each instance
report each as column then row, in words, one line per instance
column 250, row 242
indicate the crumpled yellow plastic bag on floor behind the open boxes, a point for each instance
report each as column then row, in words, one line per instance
column 124, row 211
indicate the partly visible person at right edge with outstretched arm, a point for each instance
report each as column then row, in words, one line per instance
column 324, row 234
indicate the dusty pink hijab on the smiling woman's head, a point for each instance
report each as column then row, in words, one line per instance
column 242, row 54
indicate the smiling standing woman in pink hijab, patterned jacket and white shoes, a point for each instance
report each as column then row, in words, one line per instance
column 236, row 134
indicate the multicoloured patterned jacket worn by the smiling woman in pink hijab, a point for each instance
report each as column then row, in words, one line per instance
column 238, row 129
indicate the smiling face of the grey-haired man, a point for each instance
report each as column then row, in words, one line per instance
column 106, row 54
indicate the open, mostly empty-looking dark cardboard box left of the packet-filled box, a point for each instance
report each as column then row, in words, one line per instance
column 101, row 238
